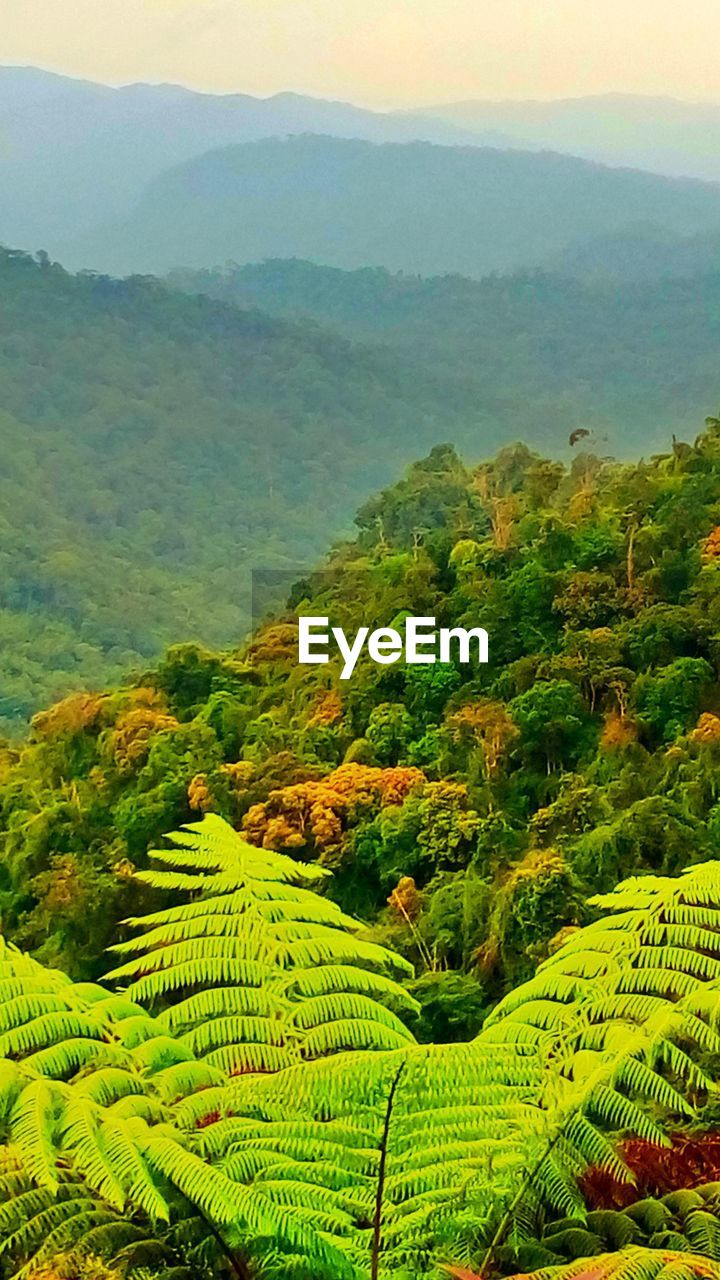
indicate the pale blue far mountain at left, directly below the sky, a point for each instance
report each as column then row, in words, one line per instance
column 74, row 153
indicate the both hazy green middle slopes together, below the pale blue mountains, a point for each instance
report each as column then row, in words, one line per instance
column 158, row 449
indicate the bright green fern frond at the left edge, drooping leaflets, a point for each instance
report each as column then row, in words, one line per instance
column 80, row 1089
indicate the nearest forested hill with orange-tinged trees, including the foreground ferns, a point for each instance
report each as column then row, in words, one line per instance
column 400, row 1022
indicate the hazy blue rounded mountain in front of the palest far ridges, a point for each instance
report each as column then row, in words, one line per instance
column 414, row 208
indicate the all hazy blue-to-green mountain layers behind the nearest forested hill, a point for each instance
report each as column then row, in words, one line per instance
column 163, row 438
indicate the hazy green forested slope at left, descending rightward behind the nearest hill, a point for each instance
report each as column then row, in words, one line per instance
column 157, row 450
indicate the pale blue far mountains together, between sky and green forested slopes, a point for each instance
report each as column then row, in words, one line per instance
column 151, row 177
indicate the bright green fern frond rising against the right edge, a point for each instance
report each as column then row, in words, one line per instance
column 628, row 1009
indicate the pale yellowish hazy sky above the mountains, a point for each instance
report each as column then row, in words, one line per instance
column 379, row 52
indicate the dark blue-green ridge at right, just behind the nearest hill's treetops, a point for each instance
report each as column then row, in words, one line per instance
column 635, row 363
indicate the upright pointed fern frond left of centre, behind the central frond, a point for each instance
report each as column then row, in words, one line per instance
column 257, row 971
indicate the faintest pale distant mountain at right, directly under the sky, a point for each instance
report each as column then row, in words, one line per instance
column 658, row 134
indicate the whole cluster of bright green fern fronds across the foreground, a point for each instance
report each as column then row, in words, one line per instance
column 277, row 1103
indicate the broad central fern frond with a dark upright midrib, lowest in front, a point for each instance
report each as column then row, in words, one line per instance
column 379, row 1151
